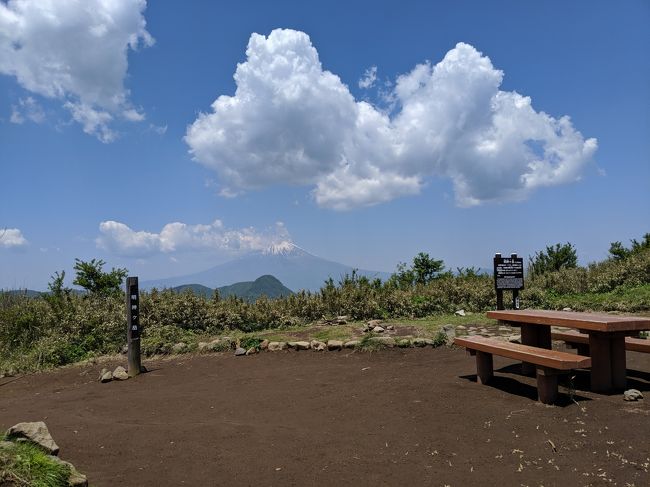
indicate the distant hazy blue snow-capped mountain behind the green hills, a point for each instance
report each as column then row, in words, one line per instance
column 294, row 267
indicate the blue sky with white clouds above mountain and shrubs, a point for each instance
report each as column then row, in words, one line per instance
column 363, row 133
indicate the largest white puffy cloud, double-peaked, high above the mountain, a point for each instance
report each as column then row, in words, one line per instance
column 292, row 122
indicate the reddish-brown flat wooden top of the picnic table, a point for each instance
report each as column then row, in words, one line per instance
column 572, row 319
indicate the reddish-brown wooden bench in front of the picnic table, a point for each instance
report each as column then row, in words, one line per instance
column 549, row 363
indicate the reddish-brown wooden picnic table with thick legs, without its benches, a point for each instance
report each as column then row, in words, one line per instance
column 606, row 338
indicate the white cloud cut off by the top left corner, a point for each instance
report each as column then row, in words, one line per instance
column 75, row 51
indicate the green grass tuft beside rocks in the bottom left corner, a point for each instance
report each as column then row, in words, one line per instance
column 23, row 463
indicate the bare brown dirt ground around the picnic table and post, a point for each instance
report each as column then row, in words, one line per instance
column 396, row 417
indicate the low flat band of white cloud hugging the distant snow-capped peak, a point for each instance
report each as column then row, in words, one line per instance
column 120, row 239
